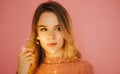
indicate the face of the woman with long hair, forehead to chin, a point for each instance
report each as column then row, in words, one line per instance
column 49, row 33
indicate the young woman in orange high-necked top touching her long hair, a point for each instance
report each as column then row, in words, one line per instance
column 51, row 49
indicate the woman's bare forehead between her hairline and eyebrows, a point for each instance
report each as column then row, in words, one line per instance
column 48, row 19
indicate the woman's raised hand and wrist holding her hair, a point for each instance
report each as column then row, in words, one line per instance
column 25, row 60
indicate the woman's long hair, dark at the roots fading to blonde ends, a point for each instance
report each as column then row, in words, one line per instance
column 70, row 51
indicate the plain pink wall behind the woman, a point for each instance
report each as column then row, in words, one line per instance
column 96, row 25
